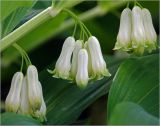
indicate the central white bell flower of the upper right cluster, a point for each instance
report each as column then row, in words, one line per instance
column 138, row 32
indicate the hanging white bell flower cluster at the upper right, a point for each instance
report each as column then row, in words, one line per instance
column 136, row 32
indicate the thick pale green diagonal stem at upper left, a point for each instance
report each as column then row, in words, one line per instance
column 27, row 27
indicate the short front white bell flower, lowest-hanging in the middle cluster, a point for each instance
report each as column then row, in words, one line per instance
column 82, row 71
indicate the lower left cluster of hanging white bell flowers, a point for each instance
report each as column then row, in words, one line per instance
column 25, row 95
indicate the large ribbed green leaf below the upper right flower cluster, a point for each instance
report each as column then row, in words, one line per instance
column 136, row 80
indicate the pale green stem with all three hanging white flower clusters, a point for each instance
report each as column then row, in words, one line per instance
column 81, row 59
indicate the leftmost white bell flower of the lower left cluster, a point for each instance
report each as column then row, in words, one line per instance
column 12, row 102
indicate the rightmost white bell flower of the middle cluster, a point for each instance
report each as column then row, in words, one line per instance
column 98, row 63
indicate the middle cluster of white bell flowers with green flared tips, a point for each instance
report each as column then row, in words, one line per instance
column 86, row 63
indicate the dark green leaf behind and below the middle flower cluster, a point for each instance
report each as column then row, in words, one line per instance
column 65, row 101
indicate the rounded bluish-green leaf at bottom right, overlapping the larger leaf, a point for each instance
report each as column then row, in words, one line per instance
column 129, row 113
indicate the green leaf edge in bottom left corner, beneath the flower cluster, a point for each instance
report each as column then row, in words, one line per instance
column 16, row 119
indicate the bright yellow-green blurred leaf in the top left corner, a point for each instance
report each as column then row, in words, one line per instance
column 8, row 6
